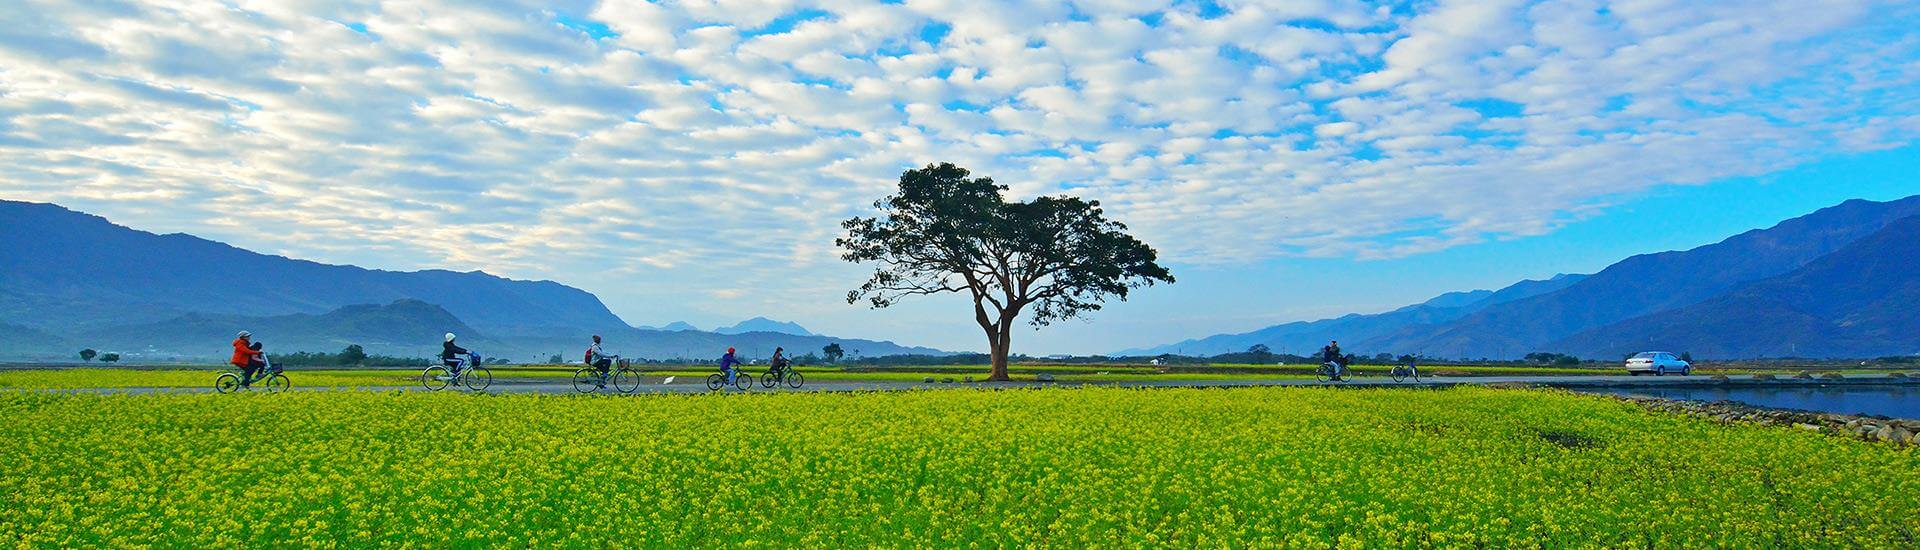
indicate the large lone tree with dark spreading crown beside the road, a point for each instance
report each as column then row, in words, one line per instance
column 946, row 232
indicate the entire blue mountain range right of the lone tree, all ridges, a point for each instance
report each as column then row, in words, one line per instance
column 1794, row 289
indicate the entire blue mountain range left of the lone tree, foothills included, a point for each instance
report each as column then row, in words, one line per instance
column 72, row 280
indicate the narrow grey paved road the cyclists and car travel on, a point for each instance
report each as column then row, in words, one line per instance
column 684, row 386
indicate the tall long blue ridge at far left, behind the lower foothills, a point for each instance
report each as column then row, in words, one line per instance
column 62, row 270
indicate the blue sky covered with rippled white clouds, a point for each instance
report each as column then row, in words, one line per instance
column 692, row 161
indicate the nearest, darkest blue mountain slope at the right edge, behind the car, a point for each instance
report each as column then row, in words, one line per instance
column 1861, row 301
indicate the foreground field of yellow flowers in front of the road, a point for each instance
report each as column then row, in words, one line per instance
column 1051, row 468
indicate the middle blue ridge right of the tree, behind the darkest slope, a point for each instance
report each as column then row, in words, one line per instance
column 1648, row 286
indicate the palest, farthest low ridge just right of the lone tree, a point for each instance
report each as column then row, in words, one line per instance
column 1307, row 337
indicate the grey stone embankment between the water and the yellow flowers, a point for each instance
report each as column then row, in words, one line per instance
column 1869, row 428
